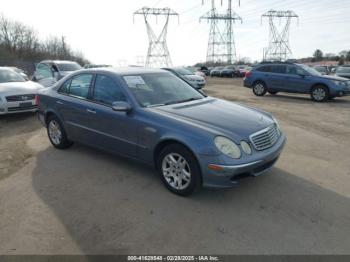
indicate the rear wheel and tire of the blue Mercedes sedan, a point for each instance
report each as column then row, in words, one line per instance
column 57, row 134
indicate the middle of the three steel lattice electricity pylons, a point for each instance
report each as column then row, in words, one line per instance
column 221, row 44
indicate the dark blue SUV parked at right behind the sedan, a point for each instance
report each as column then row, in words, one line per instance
column 295, row 78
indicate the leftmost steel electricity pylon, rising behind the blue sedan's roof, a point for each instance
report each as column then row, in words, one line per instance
column 158, row 53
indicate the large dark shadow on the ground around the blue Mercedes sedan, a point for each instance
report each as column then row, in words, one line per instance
column 111, row 205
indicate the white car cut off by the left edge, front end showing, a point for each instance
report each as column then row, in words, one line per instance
column 16, row 94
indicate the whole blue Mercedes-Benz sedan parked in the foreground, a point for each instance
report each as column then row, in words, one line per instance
column 155, row 117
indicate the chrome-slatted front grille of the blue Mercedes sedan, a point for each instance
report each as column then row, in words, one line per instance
column 265, row 138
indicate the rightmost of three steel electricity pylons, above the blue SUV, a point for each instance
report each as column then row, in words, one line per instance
column 279, row 47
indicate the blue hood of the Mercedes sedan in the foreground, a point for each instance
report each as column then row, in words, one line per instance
column 220, row 117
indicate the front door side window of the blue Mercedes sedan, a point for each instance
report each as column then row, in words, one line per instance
column 107, row 91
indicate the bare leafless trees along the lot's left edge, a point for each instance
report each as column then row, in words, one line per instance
column 21, row 42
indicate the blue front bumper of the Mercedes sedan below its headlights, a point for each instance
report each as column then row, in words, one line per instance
column 228, row 175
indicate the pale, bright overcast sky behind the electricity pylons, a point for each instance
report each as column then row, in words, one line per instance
column 106, row 32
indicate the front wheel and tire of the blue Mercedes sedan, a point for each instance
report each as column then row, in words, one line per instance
column 179, row 170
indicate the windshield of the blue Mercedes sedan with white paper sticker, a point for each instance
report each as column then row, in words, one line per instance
column 158, row 89
